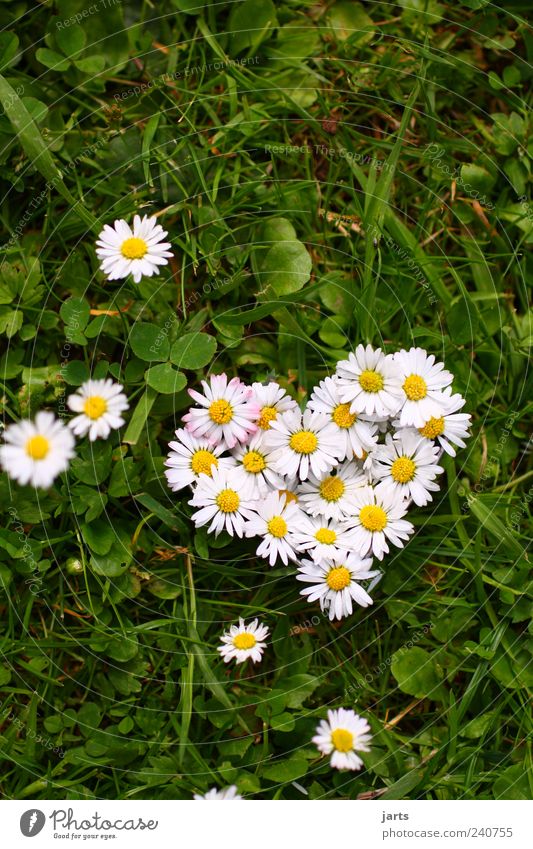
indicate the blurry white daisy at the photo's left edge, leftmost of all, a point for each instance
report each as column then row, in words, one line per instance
column 37, row 452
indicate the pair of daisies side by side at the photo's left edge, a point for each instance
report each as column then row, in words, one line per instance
column 35, row 452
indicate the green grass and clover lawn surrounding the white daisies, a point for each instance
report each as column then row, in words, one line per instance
column 411, row 125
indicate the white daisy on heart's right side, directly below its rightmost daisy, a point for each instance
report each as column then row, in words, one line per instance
column 407, row 467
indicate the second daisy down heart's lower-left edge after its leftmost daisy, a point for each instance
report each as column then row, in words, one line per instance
column 277, row 522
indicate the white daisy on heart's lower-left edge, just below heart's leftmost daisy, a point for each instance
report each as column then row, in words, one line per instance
column 224, row 499
